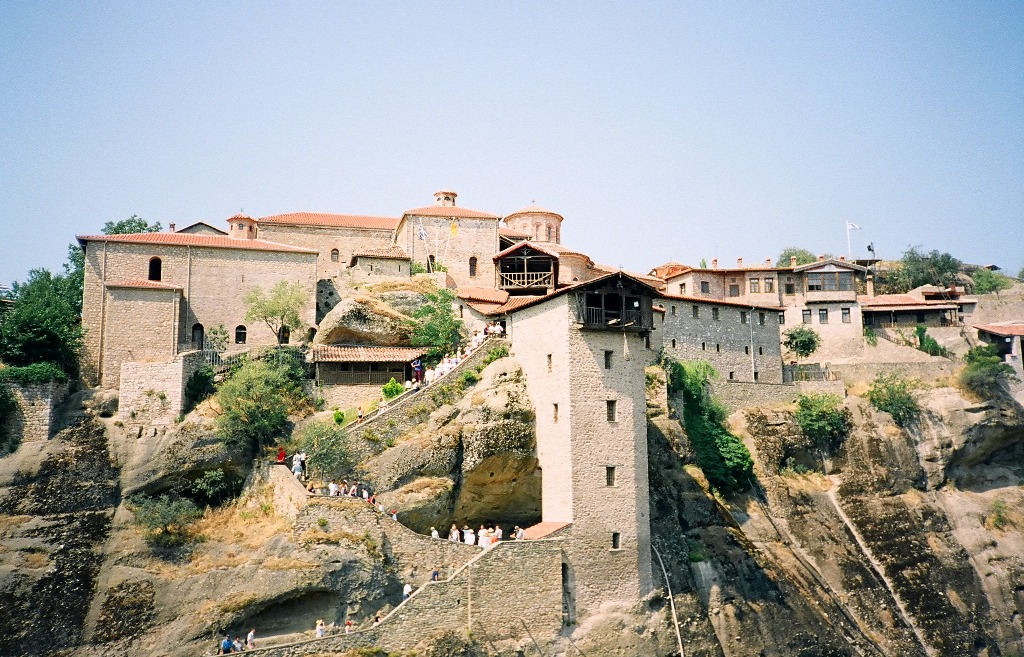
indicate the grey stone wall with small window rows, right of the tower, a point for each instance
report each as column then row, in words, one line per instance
column 693, row 332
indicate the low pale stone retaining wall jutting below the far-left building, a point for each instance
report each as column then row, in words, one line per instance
column 153, row 393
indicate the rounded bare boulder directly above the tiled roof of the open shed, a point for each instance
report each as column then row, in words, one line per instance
column 363, row 322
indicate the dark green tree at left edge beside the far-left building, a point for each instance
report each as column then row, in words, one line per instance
column 42, row 326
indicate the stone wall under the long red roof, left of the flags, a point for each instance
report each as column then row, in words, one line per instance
column 327, row 239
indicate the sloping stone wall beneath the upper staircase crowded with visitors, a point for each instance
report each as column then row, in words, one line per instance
column 410, row 410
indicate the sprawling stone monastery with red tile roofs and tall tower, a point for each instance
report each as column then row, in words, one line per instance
column 582, row 332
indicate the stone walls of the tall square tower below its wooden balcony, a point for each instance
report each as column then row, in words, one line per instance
column 609, row 555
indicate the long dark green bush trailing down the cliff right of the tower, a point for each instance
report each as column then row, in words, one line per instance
column 723, row 458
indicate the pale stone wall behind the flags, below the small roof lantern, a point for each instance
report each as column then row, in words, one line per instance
column 476, row 239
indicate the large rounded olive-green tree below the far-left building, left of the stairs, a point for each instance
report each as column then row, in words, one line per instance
column 255, row 403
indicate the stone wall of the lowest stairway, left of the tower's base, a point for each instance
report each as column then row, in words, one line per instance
column 511, row 587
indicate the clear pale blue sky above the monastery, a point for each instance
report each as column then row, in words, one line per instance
column 661, row 132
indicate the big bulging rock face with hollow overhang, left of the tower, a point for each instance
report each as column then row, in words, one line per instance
column 472, row 463
